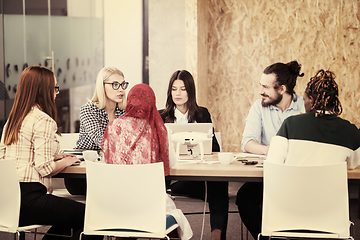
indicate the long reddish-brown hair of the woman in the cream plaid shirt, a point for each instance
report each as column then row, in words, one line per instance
column 36, row 87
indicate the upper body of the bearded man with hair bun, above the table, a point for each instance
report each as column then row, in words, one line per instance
column 278, row 102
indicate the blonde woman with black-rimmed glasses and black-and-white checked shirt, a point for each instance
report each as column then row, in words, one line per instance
column 107, row 104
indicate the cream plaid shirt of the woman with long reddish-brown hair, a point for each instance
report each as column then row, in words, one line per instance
column 35, row 149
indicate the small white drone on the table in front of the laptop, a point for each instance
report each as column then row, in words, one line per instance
column 191, row 139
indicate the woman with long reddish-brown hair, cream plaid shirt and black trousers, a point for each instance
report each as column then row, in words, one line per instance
column 29, row 137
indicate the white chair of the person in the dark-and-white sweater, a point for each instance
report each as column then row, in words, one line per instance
column 305, row 201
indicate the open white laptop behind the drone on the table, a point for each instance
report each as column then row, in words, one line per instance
column 192, row 127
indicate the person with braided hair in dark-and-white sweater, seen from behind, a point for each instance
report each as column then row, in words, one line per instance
column 318, row 137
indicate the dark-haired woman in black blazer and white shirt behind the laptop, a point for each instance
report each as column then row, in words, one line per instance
column 181, row 107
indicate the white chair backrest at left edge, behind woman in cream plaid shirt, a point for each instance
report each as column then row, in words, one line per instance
column 9, row 196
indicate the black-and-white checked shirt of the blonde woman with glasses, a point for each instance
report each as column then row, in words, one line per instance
column 93, row 122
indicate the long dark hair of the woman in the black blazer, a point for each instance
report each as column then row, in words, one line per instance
column 194, row 113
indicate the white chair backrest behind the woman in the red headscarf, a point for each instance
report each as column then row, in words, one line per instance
column 123, row 197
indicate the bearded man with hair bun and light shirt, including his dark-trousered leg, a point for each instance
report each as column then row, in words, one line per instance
column 278, row 102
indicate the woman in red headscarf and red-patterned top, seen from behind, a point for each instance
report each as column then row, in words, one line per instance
column 140, row 137
